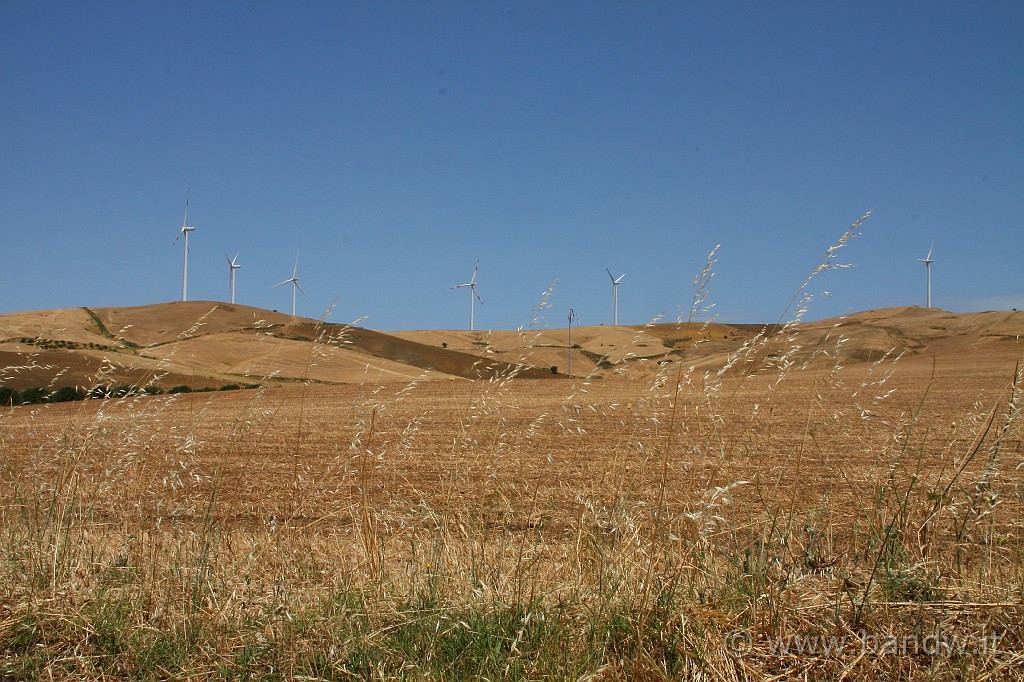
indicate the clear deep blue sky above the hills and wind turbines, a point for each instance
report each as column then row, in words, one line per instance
column 395, row 144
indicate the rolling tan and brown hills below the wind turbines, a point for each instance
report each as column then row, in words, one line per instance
column 205, row 345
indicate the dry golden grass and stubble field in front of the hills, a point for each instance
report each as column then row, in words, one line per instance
column 787, row 519
